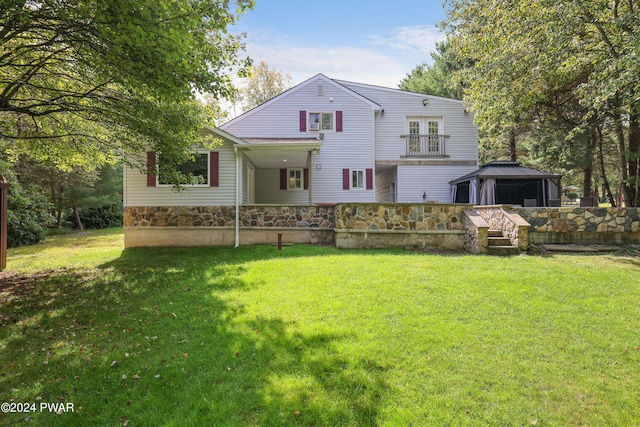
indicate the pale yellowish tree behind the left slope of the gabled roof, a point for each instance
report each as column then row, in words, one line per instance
column 263, row 84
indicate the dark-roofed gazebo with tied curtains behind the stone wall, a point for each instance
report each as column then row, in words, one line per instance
column 505, row 182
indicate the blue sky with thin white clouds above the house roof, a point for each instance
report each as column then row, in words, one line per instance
column 369, row 41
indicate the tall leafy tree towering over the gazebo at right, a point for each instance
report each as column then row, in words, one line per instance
column 575, row 59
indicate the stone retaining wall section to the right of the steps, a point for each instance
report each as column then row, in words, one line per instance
column 582, row 225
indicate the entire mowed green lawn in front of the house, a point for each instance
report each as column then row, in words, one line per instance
column 317, row 336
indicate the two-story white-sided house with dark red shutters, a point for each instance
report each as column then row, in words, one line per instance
column 326, row 141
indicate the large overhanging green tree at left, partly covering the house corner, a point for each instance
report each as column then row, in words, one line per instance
column 84, row 81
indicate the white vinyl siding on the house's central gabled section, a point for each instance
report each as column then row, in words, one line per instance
column 353, row 148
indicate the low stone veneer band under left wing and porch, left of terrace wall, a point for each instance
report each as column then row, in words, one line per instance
column 320, row 217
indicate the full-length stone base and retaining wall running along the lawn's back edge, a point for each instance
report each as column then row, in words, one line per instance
column 362, row 225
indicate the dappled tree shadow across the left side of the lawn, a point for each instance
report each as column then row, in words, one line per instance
column 152, row 339
